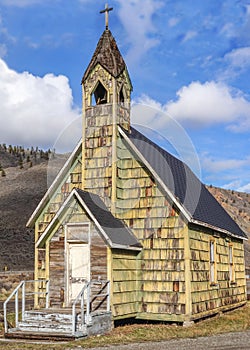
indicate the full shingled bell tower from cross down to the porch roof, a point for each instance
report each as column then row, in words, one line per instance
column 106, row 91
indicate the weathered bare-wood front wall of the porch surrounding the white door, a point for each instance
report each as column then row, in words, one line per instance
column 52, row 261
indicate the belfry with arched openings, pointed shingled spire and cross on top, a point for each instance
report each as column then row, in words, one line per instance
column 106, row 79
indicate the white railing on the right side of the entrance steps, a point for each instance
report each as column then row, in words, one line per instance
column 85, row 297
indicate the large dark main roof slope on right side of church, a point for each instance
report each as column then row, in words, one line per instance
column 184, row 185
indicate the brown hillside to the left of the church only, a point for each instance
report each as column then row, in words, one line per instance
column 21, row 189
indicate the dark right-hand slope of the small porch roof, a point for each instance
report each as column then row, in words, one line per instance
column 115, row 229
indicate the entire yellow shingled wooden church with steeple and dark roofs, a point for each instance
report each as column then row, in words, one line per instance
column 124, row 212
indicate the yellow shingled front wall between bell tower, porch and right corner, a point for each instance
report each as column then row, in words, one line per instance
column 160, row 229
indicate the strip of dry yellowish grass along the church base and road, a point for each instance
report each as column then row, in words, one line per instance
column 233, row 321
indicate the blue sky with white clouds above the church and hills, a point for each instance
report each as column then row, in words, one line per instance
column 189, row 61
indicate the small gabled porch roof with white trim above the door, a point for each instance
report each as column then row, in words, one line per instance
column 113, row 230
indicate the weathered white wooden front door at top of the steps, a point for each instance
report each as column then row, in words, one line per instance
column 78, row 268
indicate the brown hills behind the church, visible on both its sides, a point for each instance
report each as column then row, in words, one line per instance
column 25, row 184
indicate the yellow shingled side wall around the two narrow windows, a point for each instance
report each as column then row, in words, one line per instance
column 208, row 296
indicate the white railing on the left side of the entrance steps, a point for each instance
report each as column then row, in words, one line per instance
column 21, row 290
